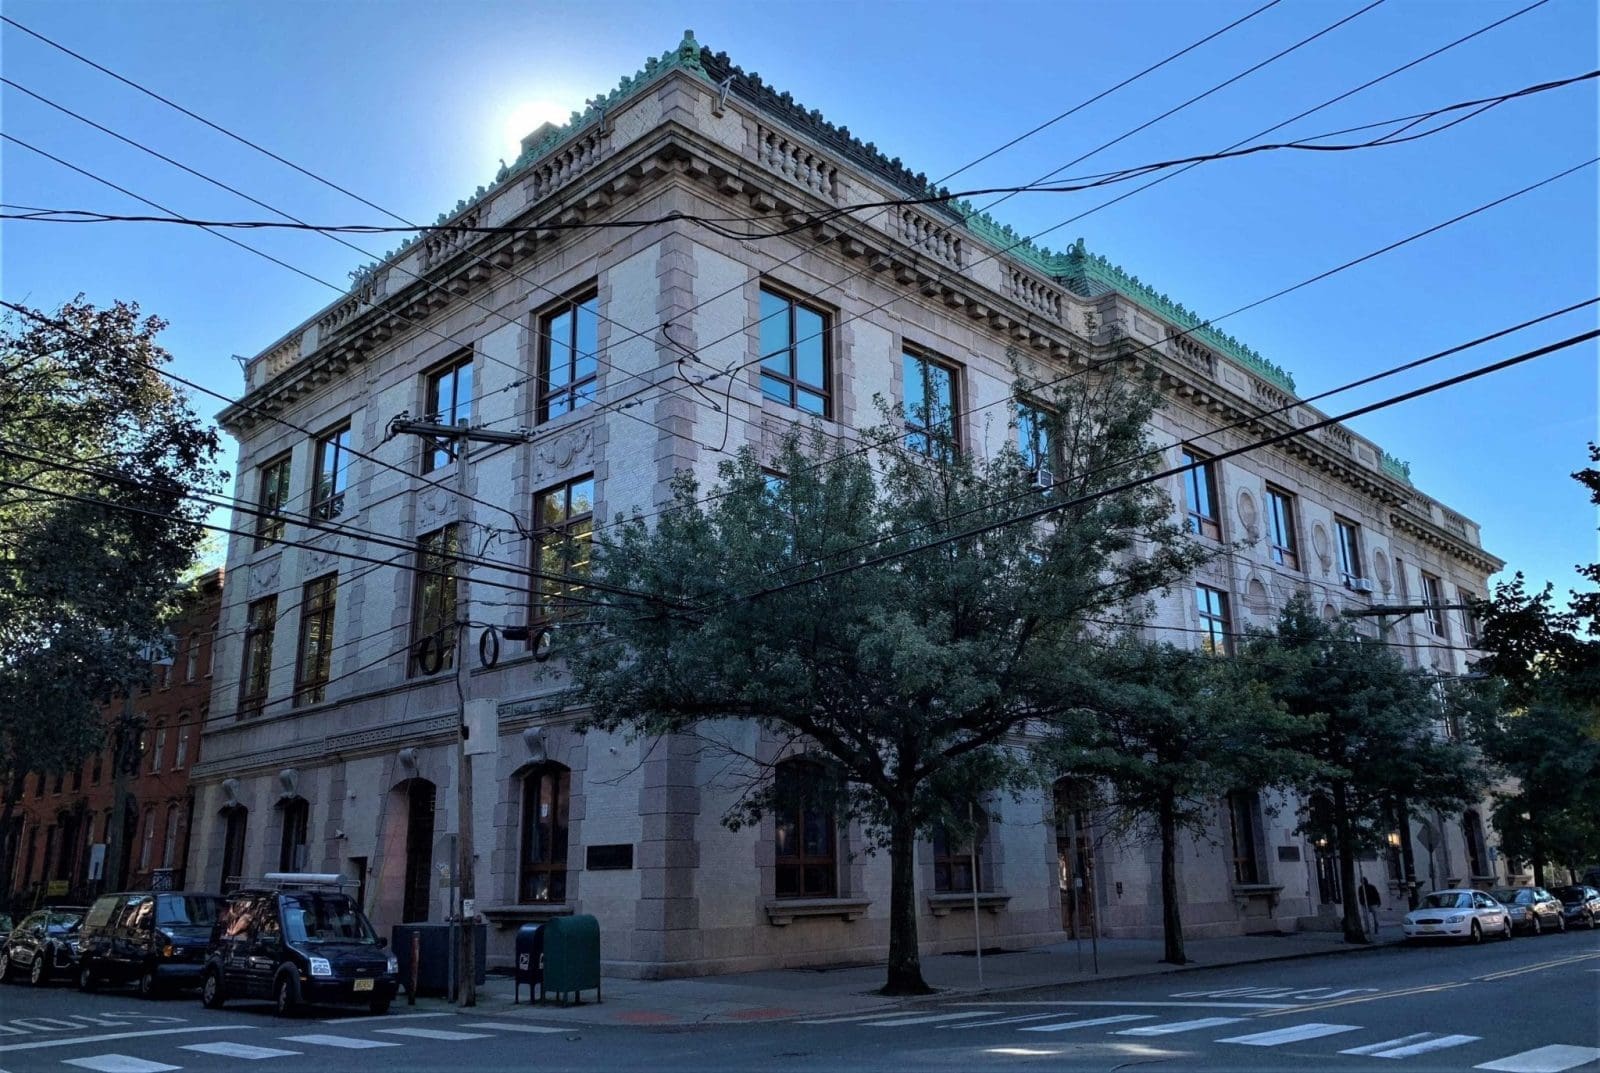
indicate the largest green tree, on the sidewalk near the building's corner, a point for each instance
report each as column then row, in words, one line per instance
column 890, row 615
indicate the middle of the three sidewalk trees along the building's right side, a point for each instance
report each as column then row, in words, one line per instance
column 1170, row 732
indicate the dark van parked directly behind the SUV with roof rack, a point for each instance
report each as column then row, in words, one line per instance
column 156, row 939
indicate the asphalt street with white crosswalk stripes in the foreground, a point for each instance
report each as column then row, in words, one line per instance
column 1527, row 1007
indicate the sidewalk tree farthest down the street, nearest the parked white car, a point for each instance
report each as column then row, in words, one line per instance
column 1375, row 741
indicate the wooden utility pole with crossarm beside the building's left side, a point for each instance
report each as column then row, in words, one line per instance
column 466, row 959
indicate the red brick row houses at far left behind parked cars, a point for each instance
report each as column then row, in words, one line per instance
column 62, row 829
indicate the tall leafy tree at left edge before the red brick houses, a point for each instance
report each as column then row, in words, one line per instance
column 89, row 557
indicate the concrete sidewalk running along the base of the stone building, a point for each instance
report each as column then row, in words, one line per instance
column 774, row 995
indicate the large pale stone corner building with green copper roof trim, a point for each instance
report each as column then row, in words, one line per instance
column 334, row 741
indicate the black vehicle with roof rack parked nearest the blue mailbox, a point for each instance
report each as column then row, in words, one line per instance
column 303, row 943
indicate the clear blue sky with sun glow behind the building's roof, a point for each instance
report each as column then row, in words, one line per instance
column 414, row 105
